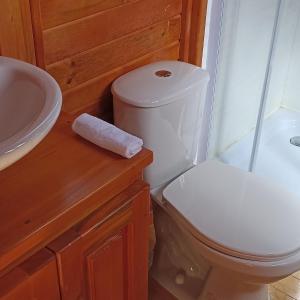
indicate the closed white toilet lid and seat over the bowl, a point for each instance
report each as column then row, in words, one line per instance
column 237, row 212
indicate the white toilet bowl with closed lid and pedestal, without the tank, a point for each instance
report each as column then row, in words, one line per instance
column 258, row 241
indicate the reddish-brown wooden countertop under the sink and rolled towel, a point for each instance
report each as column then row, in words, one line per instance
column 59, row 183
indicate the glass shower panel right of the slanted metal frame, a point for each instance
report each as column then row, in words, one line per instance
column 276, row 155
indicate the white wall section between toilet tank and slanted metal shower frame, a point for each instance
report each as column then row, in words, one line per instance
column 245, row 41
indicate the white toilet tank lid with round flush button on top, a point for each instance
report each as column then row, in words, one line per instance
column 158, row 83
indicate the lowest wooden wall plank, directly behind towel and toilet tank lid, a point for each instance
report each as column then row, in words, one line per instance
column 97, row 90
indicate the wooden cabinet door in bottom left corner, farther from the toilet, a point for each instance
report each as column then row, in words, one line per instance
column 35, row 279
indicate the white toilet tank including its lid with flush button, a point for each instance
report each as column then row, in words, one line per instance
column 162, row 103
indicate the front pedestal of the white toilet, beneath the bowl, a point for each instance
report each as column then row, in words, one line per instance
column 223, row 285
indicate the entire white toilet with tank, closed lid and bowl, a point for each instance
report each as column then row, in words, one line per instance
column 246, row 227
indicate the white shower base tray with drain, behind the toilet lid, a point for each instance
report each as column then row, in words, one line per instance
column 277, row 159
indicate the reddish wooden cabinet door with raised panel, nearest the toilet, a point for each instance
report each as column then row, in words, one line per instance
column 105, row 256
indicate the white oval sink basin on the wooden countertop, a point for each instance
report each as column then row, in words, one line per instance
column 30, row 102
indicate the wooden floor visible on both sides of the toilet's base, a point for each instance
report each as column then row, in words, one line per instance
column 286, row 289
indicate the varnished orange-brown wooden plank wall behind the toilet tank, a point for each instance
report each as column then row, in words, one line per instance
column 86, row 44
